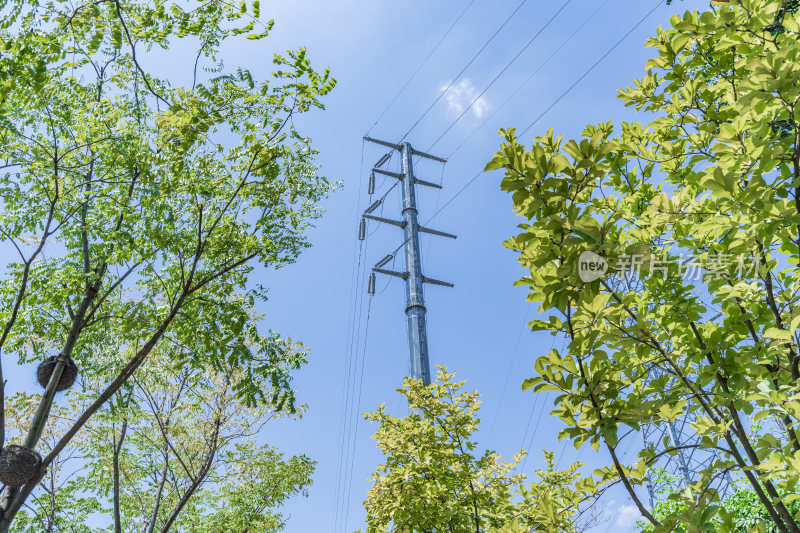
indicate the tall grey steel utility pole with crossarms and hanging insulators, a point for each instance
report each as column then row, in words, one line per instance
column 418, row 359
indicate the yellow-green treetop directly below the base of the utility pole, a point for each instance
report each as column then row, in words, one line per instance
column 435, row 480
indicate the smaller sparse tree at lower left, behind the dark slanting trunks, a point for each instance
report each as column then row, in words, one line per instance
column 176, row 450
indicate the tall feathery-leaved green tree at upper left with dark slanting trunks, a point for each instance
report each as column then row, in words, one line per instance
column 138, row 207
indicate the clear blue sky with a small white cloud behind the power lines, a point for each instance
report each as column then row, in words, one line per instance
column 478, row 328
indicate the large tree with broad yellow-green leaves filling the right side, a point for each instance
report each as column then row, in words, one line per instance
column 713, row 177
